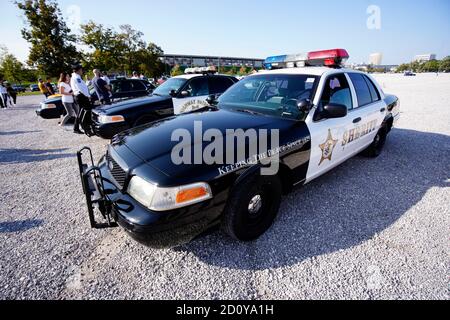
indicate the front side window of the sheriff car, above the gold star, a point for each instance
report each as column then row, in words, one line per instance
column 337, row 90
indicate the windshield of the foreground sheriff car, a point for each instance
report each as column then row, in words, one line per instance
column 271, row 94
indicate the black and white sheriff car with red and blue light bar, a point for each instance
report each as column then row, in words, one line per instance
column 317, row 117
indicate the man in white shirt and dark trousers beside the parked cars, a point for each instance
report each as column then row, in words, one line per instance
column 82, row 96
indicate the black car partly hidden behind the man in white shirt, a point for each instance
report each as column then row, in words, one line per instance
column 122, row 89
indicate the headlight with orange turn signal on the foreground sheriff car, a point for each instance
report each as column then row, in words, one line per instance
column 164, row 199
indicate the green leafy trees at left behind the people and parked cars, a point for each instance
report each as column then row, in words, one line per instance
column 54, row 48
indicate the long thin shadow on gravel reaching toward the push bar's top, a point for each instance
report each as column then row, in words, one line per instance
column 8, row 156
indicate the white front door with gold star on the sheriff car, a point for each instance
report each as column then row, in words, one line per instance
column 327, row 135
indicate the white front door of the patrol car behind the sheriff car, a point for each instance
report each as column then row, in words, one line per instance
column 193, row 96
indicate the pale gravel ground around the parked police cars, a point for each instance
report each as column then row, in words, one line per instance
column 371, row 229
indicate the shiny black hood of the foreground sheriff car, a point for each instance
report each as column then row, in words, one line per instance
column 153, row 142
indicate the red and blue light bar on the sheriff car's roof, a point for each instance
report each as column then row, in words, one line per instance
column 329, row 58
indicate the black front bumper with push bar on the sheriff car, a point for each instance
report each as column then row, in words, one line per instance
column 154, row 229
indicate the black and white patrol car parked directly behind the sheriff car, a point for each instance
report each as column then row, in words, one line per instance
column 175, row 96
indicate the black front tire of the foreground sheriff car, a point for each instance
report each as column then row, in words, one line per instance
column 252, row 208
